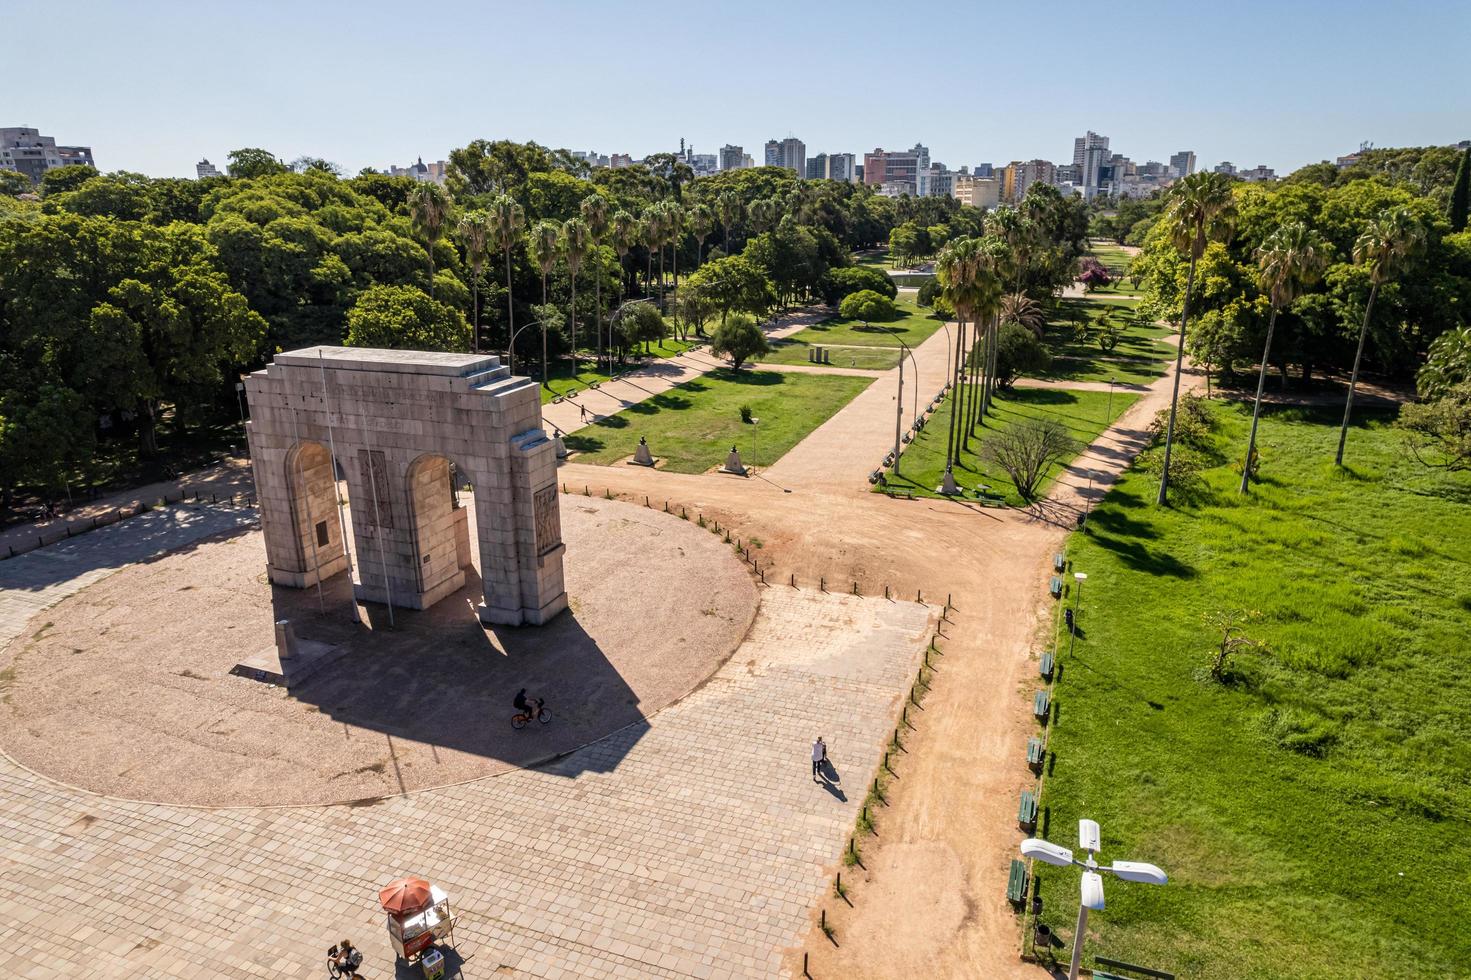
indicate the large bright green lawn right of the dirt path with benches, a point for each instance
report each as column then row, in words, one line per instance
column 1314, row 812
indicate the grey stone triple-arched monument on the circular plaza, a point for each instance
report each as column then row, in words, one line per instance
column 405, row 429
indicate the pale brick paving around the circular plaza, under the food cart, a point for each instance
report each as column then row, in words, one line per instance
column 697, row 856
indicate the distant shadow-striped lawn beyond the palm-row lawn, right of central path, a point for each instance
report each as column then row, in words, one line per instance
column 1139, row 358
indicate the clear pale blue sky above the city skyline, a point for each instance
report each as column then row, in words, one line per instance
column 157, row 86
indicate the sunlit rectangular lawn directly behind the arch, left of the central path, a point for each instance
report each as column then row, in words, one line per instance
column 694, row 426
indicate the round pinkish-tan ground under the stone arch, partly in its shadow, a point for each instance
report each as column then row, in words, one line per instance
column 126, row 688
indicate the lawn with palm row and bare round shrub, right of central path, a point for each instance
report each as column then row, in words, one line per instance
column 1082, row 413
